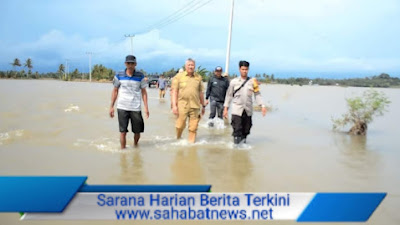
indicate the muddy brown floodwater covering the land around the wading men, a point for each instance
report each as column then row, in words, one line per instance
column 63, row 128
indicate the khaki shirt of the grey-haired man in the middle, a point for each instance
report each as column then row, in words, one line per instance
column 189, row 88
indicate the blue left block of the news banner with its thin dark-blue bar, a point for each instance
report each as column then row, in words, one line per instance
column 52, row 194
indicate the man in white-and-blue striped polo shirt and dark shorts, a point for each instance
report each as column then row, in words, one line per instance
column 130, row 89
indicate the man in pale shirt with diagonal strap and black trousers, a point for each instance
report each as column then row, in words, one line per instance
column 240, row 92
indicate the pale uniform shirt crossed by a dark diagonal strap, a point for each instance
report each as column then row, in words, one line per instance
column 243, row 99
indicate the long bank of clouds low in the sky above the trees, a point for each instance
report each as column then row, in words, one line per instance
column 156, row 53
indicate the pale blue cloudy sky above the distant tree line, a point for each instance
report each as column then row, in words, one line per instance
column 313, row 38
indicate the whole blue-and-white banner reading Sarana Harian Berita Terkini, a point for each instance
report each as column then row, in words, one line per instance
column 42, row 197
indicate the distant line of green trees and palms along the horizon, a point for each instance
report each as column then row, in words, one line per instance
column 102, row 73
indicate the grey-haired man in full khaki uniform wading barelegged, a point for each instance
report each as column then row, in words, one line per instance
column 187, row 100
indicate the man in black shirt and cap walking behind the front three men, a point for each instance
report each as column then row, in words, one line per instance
column 216, row 91
